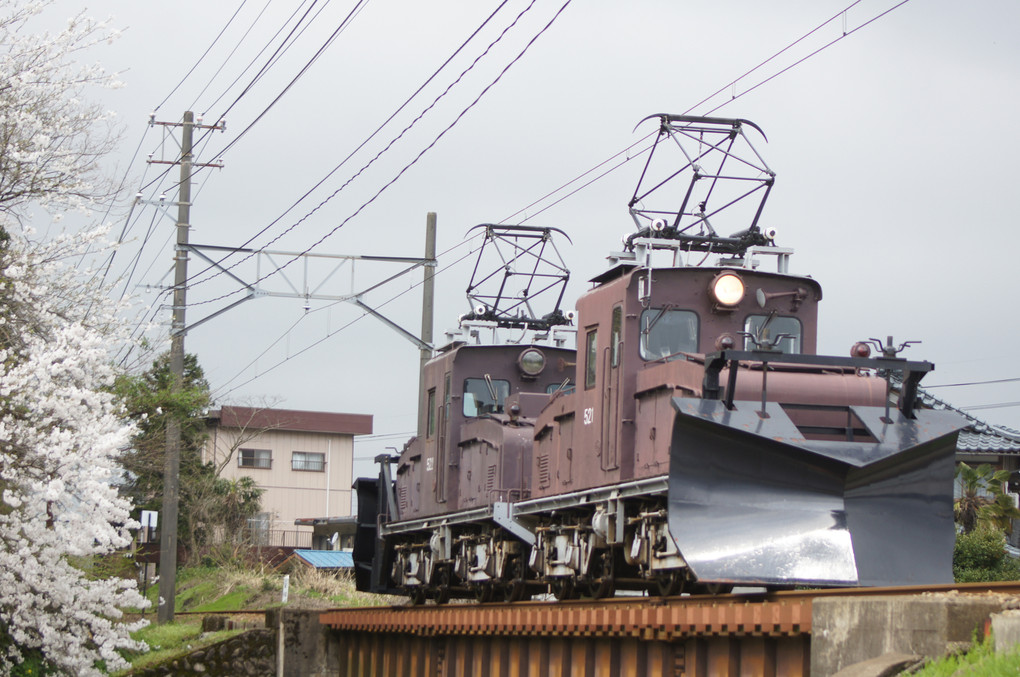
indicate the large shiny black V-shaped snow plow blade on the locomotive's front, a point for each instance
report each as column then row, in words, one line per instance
column 754, row 502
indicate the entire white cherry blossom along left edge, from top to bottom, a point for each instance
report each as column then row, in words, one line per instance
column 61, row 427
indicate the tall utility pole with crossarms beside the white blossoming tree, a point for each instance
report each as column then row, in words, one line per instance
column 172, row 463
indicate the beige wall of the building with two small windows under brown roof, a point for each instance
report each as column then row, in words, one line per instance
column 295, row 487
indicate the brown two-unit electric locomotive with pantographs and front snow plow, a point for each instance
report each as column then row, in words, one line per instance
column 694, row 441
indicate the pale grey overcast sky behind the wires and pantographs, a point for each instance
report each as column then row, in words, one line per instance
column 895, row 148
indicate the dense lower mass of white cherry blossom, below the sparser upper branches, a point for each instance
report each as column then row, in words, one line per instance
column 61, row 433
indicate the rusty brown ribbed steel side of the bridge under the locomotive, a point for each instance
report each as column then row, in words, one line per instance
column 691, row 637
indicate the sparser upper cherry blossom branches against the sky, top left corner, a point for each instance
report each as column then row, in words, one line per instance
column 52, row 134
